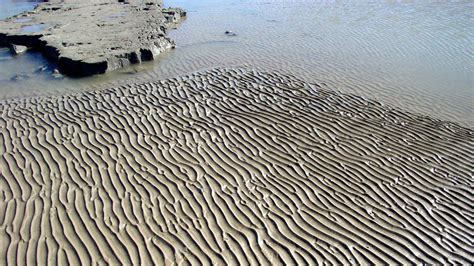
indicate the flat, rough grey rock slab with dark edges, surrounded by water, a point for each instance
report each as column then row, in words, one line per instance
column 95, row 36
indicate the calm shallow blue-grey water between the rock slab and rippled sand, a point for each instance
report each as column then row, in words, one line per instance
column 417, row 56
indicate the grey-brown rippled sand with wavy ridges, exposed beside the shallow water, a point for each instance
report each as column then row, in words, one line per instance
column 231, row 166
